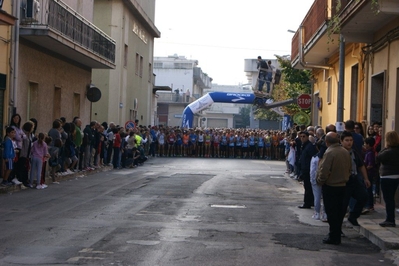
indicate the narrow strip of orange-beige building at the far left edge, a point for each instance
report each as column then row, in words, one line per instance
column 6, row 23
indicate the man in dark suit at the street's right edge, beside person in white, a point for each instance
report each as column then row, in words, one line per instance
column 308, row 150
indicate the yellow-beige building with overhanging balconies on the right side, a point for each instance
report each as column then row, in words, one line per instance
column 362, row 54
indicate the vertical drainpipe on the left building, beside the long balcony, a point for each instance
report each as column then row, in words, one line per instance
column 15, row 58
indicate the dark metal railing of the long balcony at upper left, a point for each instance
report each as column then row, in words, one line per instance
column 59, row 17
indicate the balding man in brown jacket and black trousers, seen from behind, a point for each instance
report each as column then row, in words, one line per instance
column 333, row 174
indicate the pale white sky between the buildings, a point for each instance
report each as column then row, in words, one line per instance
column 220, row 34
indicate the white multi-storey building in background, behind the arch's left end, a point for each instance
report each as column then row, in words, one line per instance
column 187, row 82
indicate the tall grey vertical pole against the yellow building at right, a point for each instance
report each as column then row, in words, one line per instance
column 340, row 103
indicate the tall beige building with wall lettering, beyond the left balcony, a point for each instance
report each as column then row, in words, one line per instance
column 127, row 90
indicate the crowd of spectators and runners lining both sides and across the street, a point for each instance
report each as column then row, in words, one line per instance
column 88, row 149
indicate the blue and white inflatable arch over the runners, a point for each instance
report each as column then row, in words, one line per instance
column 210, row 98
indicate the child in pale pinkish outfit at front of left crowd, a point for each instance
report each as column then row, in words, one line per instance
column 39, row 153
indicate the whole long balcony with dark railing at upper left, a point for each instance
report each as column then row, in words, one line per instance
column 58, row 28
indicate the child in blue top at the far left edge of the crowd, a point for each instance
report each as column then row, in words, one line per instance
column 9, row 155
